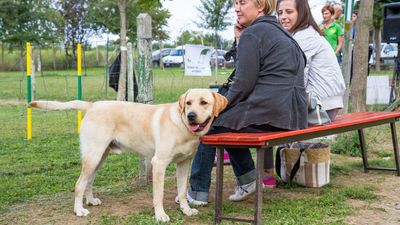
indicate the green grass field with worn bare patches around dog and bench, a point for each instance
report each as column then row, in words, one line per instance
column 37, row 176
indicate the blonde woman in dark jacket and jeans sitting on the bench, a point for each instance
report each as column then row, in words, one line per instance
column 267, row 94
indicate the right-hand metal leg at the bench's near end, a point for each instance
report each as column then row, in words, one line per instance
column 259, row 187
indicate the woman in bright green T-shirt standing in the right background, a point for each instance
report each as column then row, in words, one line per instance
column 333, row 32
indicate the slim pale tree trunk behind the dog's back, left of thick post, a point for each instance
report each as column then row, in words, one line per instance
column 122, row 73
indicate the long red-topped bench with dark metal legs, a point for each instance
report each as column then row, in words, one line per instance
column 348, row 122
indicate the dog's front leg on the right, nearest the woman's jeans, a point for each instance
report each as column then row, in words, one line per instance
column 182, row 172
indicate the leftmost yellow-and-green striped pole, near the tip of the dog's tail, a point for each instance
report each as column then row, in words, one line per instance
column 29, row 91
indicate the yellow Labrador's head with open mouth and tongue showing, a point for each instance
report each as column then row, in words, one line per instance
column 198, row 108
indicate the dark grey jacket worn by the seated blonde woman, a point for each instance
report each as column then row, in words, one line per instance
column 268, row 86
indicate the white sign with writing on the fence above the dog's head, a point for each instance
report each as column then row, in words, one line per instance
column 197, row 60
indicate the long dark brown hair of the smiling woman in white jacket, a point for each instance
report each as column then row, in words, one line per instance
column 304, row 17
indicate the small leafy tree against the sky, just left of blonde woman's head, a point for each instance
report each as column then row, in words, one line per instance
column 214, row 16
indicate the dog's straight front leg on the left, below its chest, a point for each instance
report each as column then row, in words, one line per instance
column 159, row 167
